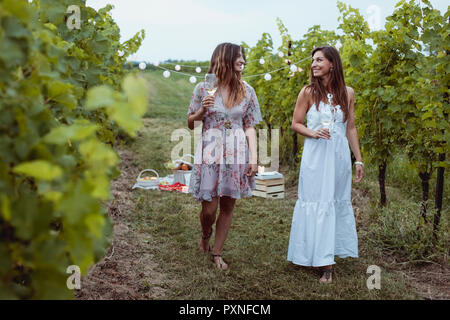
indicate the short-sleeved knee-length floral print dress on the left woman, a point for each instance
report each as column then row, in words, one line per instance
column 222, row 153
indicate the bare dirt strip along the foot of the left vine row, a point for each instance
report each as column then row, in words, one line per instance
column 127, row 270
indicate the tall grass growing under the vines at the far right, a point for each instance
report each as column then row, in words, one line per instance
column 399, row 228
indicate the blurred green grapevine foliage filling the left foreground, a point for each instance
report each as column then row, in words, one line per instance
column 63, row 95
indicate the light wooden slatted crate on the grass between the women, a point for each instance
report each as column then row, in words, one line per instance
column 269, row 185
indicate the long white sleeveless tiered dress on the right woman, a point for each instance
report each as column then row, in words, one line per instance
column 323, row 223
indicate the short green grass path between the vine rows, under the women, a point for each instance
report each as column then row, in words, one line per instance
column 256, row 247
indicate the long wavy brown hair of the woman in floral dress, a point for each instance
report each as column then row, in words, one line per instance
column 222, row 64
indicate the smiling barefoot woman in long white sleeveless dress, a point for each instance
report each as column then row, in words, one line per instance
column 323, row 223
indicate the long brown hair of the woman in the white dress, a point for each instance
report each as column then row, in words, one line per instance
column 337, row 82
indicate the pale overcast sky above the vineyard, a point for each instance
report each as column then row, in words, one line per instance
column 191, row 29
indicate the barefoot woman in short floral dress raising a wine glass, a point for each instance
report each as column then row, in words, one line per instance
column 226, row 158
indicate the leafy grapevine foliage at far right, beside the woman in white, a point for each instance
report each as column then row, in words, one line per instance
column 402, row 94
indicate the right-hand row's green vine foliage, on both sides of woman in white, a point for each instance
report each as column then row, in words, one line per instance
column 399, row 74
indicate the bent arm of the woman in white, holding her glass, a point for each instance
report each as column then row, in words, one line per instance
column 301, row 108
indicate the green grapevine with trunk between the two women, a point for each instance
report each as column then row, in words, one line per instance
column 278, row 101
